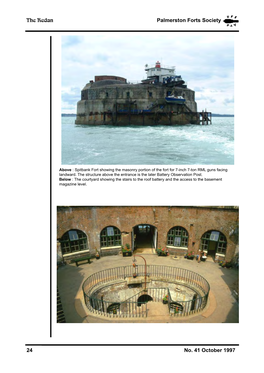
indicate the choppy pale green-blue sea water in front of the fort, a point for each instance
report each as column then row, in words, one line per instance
column 148, row 145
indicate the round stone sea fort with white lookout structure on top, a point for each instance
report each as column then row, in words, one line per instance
column 161, row 98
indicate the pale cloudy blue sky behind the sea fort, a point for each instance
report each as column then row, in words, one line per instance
column 204, row 60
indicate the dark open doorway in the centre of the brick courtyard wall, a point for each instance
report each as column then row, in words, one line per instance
column 144, row 239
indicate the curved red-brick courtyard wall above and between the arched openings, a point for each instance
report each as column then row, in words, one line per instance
column 196, row 220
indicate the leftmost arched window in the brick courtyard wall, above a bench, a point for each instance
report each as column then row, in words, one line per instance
column 72, row 241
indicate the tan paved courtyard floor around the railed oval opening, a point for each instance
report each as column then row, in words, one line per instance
column 222, row 307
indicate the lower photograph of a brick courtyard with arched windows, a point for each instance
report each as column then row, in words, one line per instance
column 147, row 264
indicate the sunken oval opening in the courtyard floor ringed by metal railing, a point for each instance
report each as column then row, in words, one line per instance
column 116, row 292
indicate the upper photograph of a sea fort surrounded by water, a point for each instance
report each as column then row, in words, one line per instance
column 147, row 98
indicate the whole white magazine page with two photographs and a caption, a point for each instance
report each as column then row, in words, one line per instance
column 142, row 159
